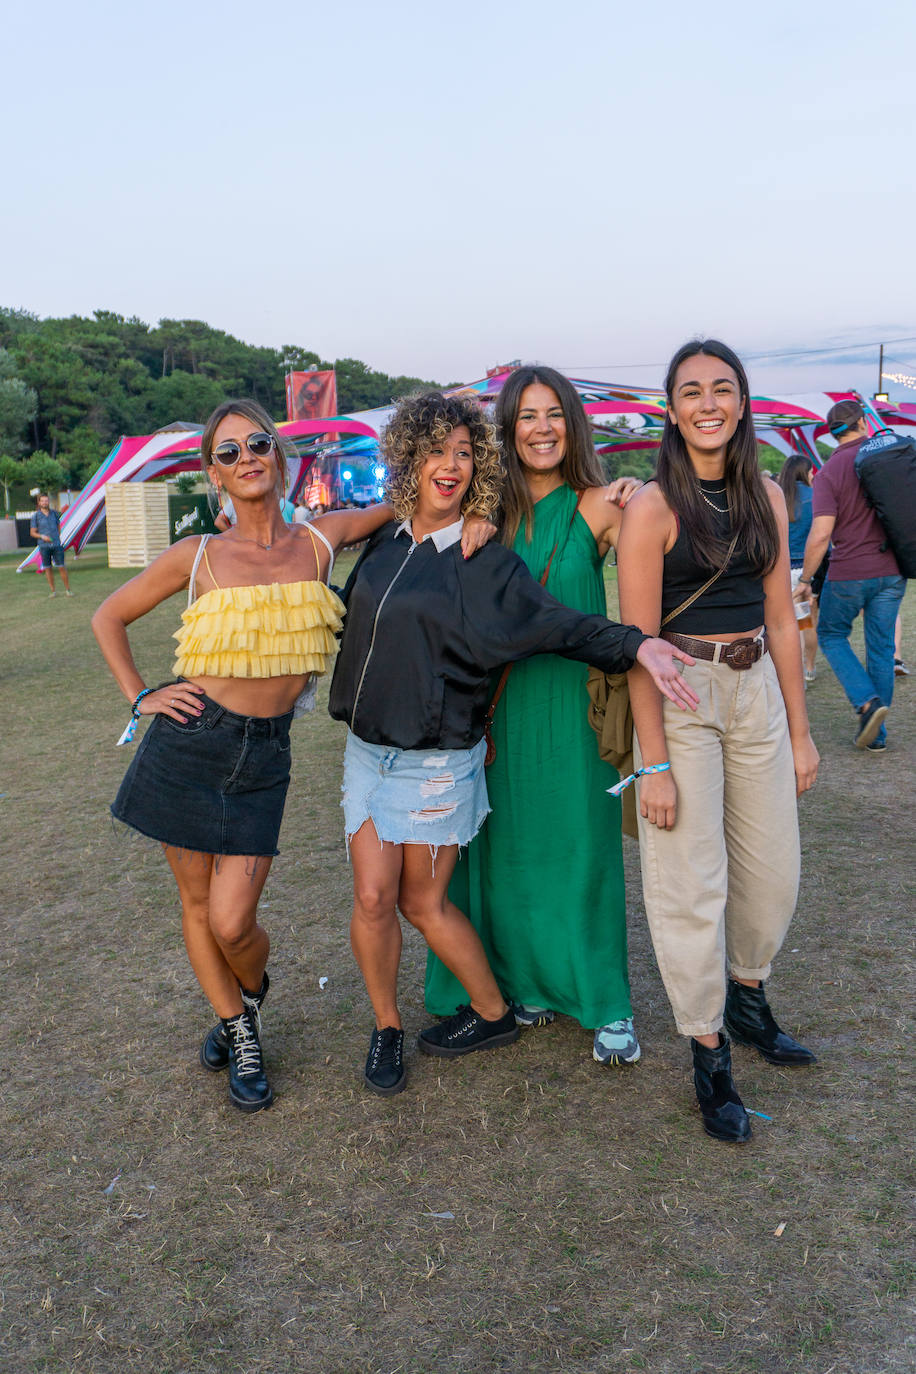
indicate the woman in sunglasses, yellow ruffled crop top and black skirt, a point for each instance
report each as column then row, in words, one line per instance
column 211, row 777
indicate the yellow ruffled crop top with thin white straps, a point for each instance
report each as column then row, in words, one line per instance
column 271, row 630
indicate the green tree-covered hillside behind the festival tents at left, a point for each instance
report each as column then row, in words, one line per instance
column 69, row 388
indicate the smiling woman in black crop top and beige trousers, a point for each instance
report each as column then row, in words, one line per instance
column 704, row 554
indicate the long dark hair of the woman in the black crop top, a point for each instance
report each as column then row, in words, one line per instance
column 752, row 515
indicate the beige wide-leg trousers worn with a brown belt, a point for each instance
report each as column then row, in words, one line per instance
column 722, row 887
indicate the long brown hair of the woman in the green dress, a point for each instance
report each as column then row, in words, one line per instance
column 580, row 466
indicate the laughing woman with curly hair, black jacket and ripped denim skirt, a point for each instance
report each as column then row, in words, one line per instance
column 425, row 630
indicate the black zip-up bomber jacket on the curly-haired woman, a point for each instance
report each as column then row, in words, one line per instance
column 425, row 630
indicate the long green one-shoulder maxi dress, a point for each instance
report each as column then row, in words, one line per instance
column 543, row 883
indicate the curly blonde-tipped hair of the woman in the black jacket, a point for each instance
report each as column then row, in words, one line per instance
column 422, row 421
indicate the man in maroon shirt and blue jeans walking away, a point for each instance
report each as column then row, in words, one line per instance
column 863, row 576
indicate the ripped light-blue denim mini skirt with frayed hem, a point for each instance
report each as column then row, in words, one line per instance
column 415, row 796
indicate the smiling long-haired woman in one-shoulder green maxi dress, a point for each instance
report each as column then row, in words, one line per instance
column 543, row 883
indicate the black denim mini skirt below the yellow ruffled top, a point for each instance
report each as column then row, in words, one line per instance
column 216, row 784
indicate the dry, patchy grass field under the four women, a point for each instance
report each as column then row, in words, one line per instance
column 523, row 1211
